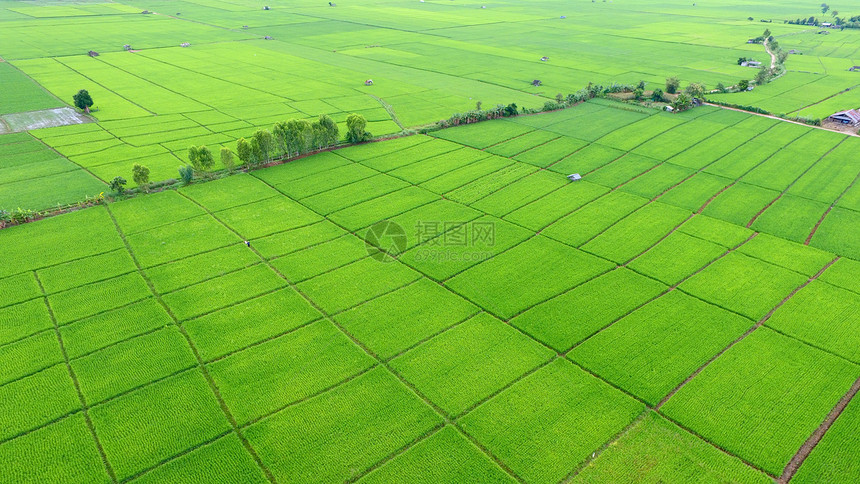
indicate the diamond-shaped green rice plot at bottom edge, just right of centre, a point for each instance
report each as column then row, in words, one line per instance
column 544, row 425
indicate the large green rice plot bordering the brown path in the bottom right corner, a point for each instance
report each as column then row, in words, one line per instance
column 787, row 396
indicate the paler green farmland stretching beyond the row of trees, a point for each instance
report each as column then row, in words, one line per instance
column 427, row 60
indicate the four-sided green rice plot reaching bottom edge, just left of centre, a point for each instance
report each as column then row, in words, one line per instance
column 308, row 441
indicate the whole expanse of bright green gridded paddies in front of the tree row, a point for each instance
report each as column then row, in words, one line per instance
column 671, row 317
